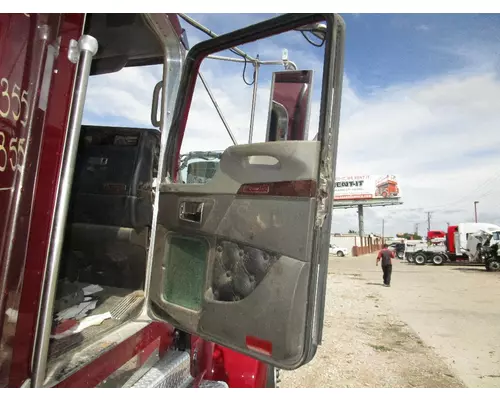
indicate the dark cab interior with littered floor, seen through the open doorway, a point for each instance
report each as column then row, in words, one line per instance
column 102, row 270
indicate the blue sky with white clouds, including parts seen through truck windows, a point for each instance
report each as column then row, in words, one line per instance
column 419, row 101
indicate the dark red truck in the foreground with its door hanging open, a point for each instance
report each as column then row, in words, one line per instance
column 104, row 273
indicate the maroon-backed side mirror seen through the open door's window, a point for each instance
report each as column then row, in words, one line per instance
column 289, row 105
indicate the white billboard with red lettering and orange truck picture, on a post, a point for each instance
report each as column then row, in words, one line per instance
column 367, row 187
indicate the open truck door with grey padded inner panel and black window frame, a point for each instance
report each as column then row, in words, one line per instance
column 241, row 260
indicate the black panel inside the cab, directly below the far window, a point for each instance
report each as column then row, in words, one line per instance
column 111, row 206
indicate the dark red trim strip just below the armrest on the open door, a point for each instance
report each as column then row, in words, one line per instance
column 304, row 188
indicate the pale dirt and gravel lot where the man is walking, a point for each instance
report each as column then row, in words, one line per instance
column 434, row 327
